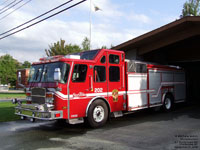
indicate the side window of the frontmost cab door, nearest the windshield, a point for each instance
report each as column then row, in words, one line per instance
column 79, row 73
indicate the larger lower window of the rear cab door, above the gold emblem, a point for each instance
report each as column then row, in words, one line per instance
column 114, row 74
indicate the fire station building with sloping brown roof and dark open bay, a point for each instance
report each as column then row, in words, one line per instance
column 177, row 43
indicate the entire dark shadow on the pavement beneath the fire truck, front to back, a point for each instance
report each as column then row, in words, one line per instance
column 142, row 116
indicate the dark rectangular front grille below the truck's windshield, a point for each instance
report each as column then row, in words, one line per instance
column 38, row 95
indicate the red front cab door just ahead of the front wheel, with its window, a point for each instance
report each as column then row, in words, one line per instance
column 78, row 89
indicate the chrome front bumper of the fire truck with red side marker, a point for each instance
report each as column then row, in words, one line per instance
column 30, row 111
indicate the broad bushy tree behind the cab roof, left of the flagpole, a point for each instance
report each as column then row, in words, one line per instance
column 60, row 48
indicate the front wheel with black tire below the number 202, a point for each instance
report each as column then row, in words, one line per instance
column 97, row 114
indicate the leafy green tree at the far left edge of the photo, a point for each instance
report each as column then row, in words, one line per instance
column 8, row 69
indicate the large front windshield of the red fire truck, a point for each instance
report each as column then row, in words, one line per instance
column 45, row 72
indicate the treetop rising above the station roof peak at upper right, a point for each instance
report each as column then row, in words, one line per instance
column 191, row 8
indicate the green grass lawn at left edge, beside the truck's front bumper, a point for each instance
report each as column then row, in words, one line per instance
column 7, row 112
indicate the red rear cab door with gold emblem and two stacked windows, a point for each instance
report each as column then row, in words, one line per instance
column 116, row 81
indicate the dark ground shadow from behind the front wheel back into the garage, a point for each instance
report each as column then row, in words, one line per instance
column 149, row 115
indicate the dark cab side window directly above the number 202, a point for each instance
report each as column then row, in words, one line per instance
column 99, row 74
